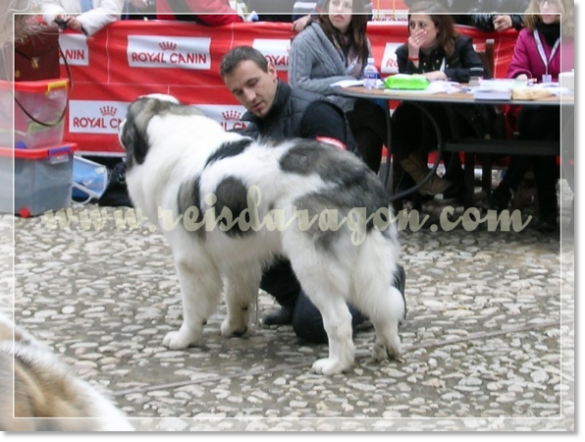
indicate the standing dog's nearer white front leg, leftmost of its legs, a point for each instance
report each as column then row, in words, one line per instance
column 200, row 293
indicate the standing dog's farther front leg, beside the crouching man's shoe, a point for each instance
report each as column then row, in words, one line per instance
column 241, row 290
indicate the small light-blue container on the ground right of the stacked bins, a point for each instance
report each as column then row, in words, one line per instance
column 89, row 180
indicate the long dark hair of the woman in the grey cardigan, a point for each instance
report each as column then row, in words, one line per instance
column 356, row 30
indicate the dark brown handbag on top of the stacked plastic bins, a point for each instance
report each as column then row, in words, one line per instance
column 36, row 55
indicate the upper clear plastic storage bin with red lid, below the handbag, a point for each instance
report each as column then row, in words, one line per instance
column 46, row 102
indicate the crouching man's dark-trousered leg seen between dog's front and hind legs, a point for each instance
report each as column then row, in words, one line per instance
column 280, row 281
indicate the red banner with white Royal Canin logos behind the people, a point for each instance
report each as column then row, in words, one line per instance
column 132, row 58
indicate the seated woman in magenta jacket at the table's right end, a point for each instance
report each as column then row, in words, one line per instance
column 537, row 56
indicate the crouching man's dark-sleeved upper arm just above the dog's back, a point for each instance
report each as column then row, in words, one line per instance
column 325, row 120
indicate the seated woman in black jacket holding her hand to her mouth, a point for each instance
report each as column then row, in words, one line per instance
column 434, row 49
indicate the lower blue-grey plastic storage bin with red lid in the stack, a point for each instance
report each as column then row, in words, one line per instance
column 42, row 178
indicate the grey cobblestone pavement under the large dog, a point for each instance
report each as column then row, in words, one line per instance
column 489, row 338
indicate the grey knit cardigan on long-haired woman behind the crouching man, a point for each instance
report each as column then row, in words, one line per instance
column 314, row 64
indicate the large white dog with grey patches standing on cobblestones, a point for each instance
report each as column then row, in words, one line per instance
column 228, row 205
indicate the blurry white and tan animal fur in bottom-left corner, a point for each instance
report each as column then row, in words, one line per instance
column 39, row 392
